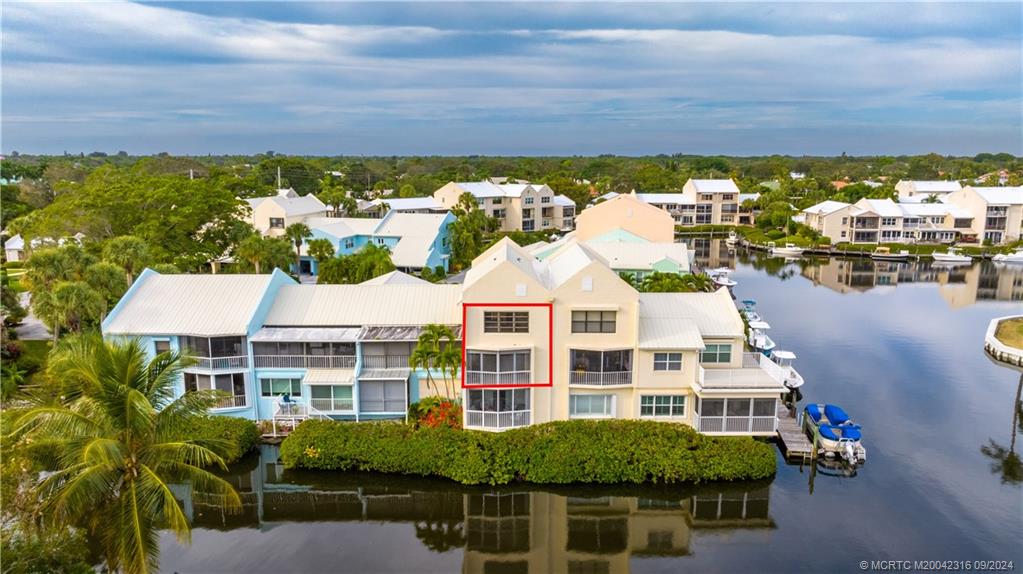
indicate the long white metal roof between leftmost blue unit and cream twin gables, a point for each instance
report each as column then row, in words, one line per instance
column 366, row 305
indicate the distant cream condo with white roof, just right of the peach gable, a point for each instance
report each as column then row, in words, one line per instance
column 703, row 202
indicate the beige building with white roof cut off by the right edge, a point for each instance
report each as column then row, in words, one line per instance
column 998, row 212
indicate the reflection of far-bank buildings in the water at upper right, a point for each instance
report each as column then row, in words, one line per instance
column 960, row 286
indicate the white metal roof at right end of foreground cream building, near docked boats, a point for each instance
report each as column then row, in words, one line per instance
column 714, row 314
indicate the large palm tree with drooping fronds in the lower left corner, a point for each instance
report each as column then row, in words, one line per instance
column 117, row 445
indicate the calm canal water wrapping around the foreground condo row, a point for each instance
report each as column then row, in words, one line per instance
column 900, row 346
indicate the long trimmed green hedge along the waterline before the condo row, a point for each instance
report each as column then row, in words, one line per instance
column 561, row 453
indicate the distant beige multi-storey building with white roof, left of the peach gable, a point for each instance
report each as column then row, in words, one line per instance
column 519, row 207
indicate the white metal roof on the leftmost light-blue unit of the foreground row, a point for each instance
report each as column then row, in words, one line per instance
column 187, row 304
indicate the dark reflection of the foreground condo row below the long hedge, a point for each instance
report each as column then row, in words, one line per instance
column 515, row 531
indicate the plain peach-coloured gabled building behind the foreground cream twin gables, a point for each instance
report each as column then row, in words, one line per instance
column 630, row 213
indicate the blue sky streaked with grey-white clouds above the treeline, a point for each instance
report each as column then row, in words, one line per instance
column 522, row 78
